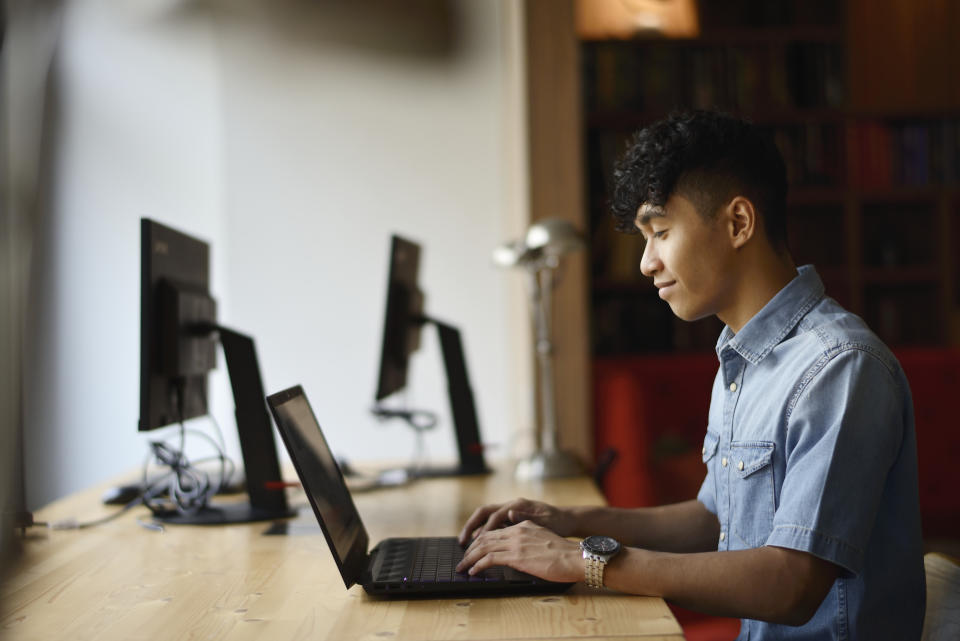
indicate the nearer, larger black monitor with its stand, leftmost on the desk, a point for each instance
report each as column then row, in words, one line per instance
column 178, row 339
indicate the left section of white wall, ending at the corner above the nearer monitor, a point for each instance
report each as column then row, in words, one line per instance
column 133, row 131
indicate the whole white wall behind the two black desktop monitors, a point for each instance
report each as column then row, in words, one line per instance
column 295, row 139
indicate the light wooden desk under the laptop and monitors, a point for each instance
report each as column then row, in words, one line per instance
column 122, row 581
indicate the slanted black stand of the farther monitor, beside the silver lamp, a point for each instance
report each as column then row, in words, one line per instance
column 469, row 445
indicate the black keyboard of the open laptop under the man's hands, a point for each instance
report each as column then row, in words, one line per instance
column 432, row 560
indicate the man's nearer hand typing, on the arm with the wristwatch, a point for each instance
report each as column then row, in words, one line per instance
column 527, row 547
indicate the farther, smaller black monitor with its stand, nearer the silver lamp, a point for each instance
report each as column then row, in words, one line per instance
column 402, row 325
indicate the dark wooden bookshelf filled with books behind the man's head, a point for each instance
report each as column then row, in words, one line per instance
column 874, row 192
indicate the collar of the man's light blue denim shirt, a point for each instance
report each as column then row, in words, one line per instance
column 778, row 317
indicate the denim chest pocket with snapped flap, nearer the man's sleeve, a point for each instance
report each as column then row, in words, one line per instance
column 752, row 493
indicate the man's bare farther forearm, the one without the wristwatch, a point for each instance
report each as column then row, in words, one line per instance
column 681, row 527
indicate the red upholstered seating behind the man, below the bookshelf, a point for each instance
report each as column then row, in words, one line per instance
column 652, row 412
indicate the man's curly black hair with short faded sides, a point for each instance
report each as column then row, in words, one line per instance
column 708, row 157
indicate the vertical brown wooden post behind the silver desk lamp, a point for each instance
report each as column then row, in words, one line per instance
column 556, row 190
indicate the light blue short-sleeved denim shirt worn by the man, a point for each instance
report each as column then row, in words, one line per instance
column 810, row 446
